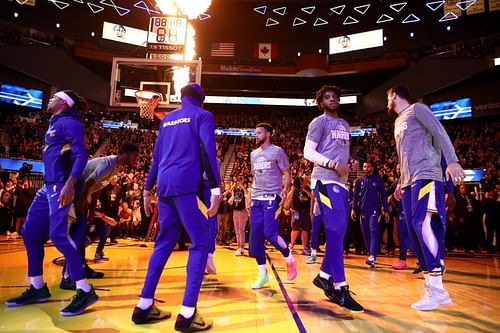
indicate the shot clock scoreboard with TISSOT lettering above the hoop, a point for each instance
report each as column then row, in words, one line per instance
column 166, row 36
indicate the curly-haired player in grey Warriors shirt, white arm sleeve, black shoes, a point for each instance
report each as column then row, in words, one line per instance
column 327, row 145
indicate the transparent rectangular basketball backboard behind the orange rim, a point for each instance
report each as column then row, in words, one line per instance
column 165, row 76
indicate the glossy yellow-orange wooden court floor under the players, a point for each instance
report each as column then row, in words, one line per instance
column 227, row 299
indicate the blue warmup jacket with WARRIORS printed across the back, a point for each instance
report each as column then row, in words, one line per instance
column 184, row 149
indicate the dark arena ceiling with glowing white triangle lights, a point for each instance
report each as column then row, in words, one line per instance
column 412, row 30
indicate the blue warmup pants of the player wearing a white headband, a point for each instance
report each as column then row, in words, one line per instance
column 46, row 221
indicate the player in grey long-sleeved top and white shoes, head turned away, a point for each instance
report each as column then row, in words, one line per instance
column 420, row 142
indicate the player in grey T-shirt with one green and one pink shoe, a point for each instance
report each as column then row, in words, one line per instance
column 271, row 182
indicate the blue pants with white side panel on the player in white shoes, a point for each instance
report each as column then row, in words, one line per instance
column 422, row 197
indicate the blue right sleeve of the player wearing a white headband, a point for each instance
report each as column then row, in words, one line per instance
column 74, row 136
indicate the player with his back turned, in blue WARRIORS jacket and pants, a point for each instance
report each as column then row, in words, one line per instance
column 184, row 149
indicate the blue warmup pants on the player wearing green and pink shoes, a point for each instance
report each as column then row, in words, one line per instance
column 264, row 224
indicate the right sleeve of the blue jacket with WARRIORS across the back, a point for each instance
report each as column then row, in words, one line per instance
column 208, row 151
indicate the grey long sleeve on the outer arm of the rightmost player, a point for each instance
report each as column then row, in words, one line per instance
column 429, row 121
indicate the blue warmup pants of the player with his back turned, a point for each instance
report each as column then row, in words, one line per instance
column 188, row 211
